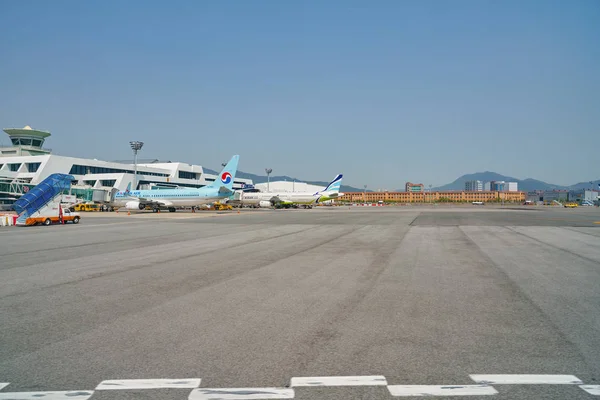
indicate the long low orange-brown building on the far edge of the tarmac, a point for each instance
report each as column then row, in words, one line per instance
column 428, row 197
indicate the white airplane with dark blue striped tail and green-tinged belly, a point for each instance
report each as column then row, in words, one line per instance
column 308, row 199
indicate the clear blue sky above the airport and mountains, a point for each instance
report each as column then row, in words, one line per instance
column 383, row 91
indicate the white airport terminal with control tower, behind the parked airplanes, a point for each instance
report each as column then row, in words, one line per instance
column 27, row 162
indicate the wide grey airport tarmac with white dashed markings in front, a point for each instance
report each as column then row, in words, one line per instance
column 328, row 303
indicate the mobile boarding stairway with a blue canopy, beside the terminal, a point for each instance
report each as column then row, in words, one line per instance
column 43, row 201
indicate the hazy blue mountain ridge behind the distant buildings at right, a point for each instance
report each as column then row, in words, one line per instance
column 524, row 185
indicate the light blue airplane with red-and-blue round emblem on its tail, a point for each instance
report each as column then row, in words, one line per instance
column 221, row 188
